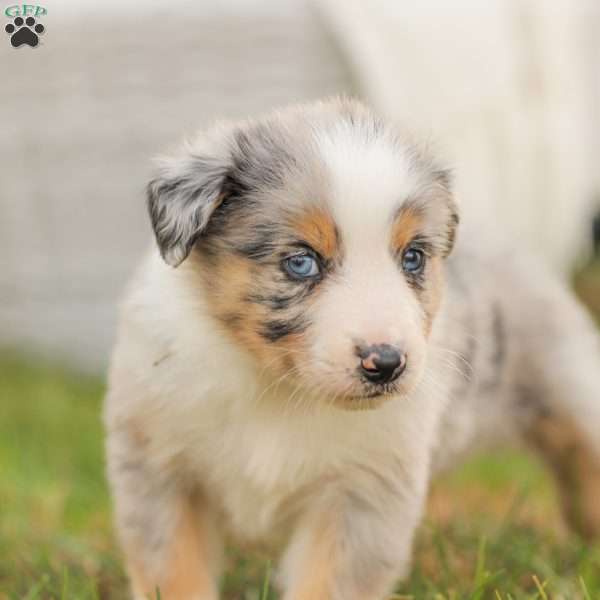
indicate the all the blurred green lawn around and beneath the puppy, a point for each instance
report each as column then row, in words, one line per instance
column 493, row 529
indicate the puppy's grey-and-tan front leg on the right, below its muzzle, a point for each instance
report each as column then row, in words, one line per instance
column 354, row 548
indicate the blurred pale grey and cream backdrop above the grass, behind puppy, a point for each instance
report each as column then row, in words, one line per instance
column 508, row 90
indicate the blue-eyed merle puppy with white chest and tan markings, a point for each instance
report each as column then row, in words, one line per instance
column 304, row 352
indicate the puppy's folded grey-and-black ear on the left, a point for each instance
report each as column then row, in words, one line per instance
column 181, row 199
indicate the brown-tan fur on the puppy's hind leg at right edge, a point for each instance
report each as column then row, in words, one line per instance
column 576, row 468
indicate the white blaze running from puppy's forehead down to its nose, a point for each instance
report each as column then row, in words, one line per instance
column 368, row 179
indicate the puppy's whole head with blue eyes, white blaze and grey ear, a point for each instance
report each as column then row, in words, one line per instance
column 320, row 238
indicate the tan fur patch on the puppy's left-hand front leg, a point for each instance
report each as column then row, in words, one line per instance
column 185, row 573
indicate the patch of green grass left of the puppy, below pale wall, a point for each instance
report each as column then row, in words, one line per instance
column 55, row 538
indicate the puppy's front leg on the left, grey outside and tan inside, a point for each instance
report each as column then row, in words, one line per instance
column 167, row 533
